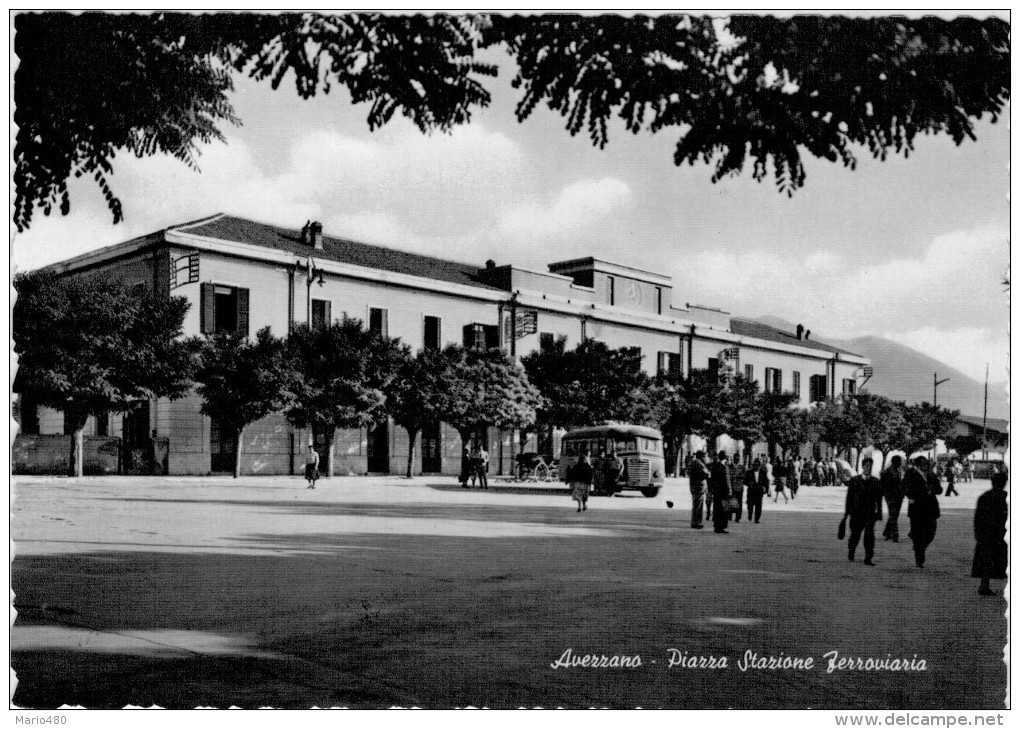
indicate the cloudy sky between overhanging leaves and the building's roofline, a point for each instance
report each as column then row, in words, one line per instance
column 909, row 249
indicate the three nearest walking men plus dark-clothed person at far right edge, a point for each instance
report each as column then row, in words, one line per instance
column 921, row 486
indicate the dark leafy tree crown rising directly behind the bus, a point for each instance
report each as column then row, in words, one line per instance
column 589, row 385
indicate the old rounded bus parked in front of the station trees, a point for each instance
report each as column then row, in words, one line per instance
column 640, row 448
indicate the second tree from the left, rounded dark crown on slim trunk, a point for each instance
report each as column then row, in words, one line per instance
column 242, row 381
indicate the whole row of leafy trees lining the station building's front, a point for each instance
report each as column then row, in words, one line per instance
column 89, row 346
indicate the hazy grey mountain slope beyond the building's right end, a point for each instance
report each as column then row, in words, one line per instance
column 904, row 374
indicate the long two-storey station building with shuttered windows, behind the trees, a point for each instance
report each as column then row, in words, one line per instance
column 242, row 276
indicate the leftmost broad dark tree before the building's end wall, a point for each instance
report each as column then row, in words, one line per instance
column 89, row 346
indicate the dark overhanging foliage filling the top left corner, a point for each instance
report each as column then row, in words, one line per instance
column 93, row 85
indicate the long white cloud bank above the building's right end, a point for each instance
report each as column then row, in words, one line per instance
column 955, row 285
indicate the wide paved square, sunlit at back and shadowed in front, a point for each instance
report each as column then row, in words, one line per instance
column 377, row 593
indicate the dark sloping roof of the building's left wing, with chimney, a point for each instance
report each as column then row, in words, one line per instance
column 236, row 230
